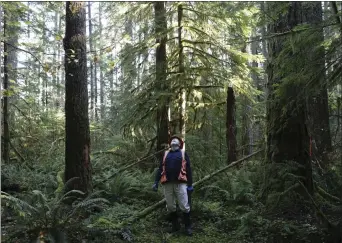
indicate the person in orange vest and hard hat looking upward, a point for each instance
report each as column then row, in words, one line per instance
column 175, row 174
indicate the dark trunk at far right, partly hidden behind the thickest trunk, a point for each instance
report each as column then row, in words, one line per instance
column 318, row 113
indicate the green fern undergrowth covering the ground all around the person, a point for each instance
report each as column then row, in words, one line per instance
column 226, row 209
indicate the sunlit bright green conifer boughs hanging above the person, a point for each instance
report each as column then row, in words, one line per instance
column 209, row 60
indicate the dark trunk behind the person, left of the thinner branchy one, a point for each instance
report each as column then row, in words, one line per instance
column 161, row 67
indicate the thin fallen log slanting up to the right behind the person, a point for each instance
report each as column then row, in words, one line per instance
column 150, row 209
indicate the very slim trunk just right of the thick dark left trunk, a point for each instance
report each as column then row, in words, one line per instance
column 90, row 26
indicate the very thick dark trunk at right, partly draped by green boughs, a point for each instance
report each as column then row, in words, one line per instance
column 287, row 133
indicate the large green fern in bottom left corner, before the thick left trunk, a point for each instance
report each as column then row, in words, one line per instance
column 38, row 213
